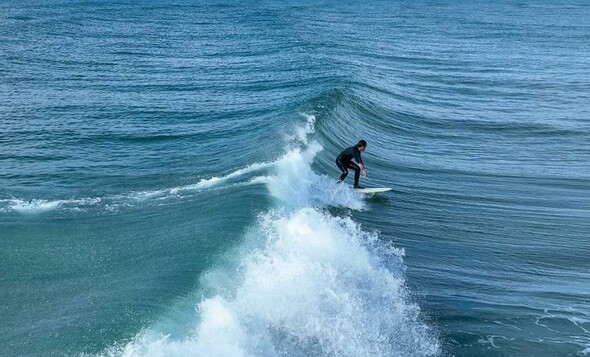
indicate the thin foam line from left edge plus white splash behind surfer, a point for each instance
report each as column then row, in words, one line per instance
column 295, row 163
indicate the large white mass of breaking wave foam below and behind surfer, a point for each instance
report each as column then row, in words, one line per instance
column 302, row 283
